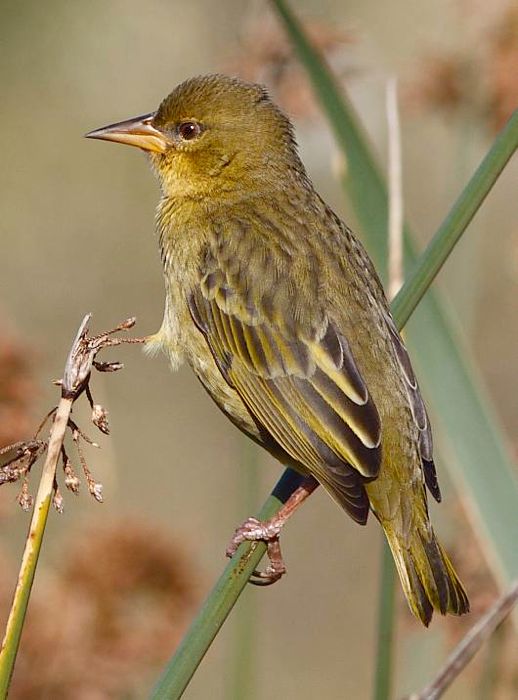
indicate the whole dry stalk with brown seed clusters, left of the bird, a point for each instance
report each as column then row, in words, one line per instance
column 21, row 457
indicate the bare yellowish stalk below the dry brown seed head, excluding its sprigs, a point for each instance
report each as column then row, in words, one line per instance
column 32, row 549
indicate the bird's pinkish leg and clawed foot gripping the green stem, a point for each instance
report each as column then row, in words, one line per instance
column 268, row 531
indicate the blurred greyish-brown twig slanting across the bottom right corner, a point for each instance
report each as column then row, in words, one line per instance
column 469, row 646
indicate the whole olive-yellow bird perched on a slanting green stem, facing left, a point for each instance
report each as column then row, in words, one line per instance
column 277, row 308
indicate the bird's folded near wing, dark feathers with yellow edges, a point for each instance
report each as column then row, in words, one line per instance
column 306, row 392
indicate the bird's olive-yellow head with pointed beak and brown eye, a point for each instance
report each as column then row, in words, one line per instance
column 213, row 134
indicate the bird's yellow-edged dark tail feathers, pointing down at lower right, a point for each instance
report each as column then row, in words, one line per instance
column 428, row 578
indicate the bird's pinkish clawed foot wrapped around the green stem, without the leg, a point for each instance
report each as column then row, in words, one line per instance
column 253, row 530
